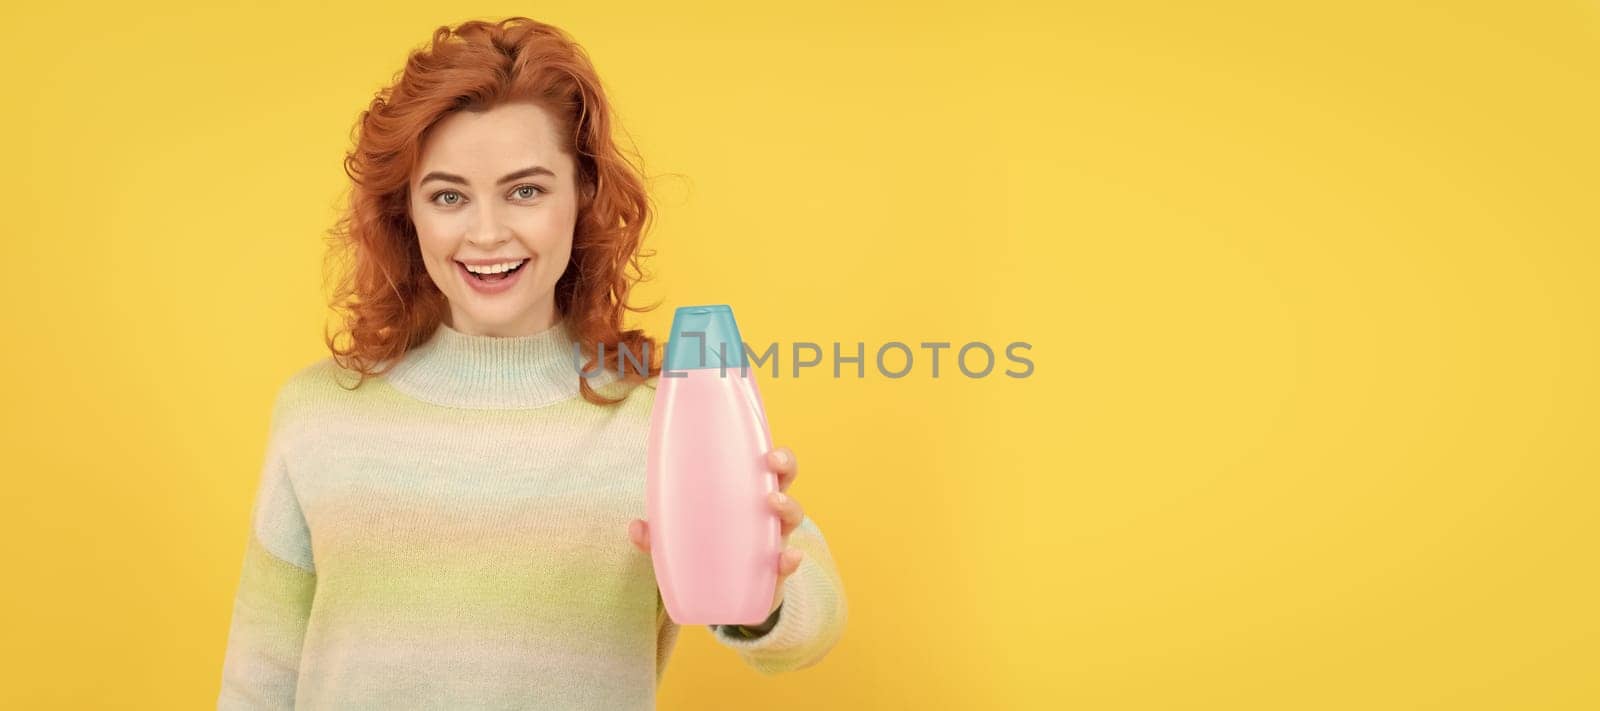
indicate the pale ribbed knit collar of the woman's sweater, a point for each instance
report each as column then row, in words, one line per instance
column 476, row 372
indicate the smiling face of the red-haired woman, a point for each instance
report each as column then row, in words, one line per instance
column 497, row 190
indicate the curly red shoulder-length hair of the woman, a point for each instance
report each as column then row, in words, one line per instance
column 390, row 302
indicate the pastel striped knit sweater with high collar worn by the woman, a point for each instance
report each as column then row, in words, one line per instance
column 454, row 536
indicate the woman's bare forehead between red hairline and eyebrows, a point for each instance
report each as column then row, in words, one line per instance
column 489, row 143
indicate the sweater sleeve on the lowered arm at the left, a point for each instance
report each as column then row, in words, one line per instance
column 273, row 603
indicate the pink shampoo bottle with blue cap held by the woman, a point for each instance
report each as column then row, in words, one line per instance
column 714, row 540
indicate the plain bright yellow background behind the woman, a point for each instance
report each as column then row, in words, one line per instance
column 1310, row 294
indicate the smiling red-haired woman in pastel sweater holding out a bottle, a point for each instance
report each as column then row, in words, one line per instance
column 457, row 529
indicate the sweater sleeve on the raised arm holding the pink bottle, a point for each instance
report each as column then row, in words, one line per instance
column 810, row 621
